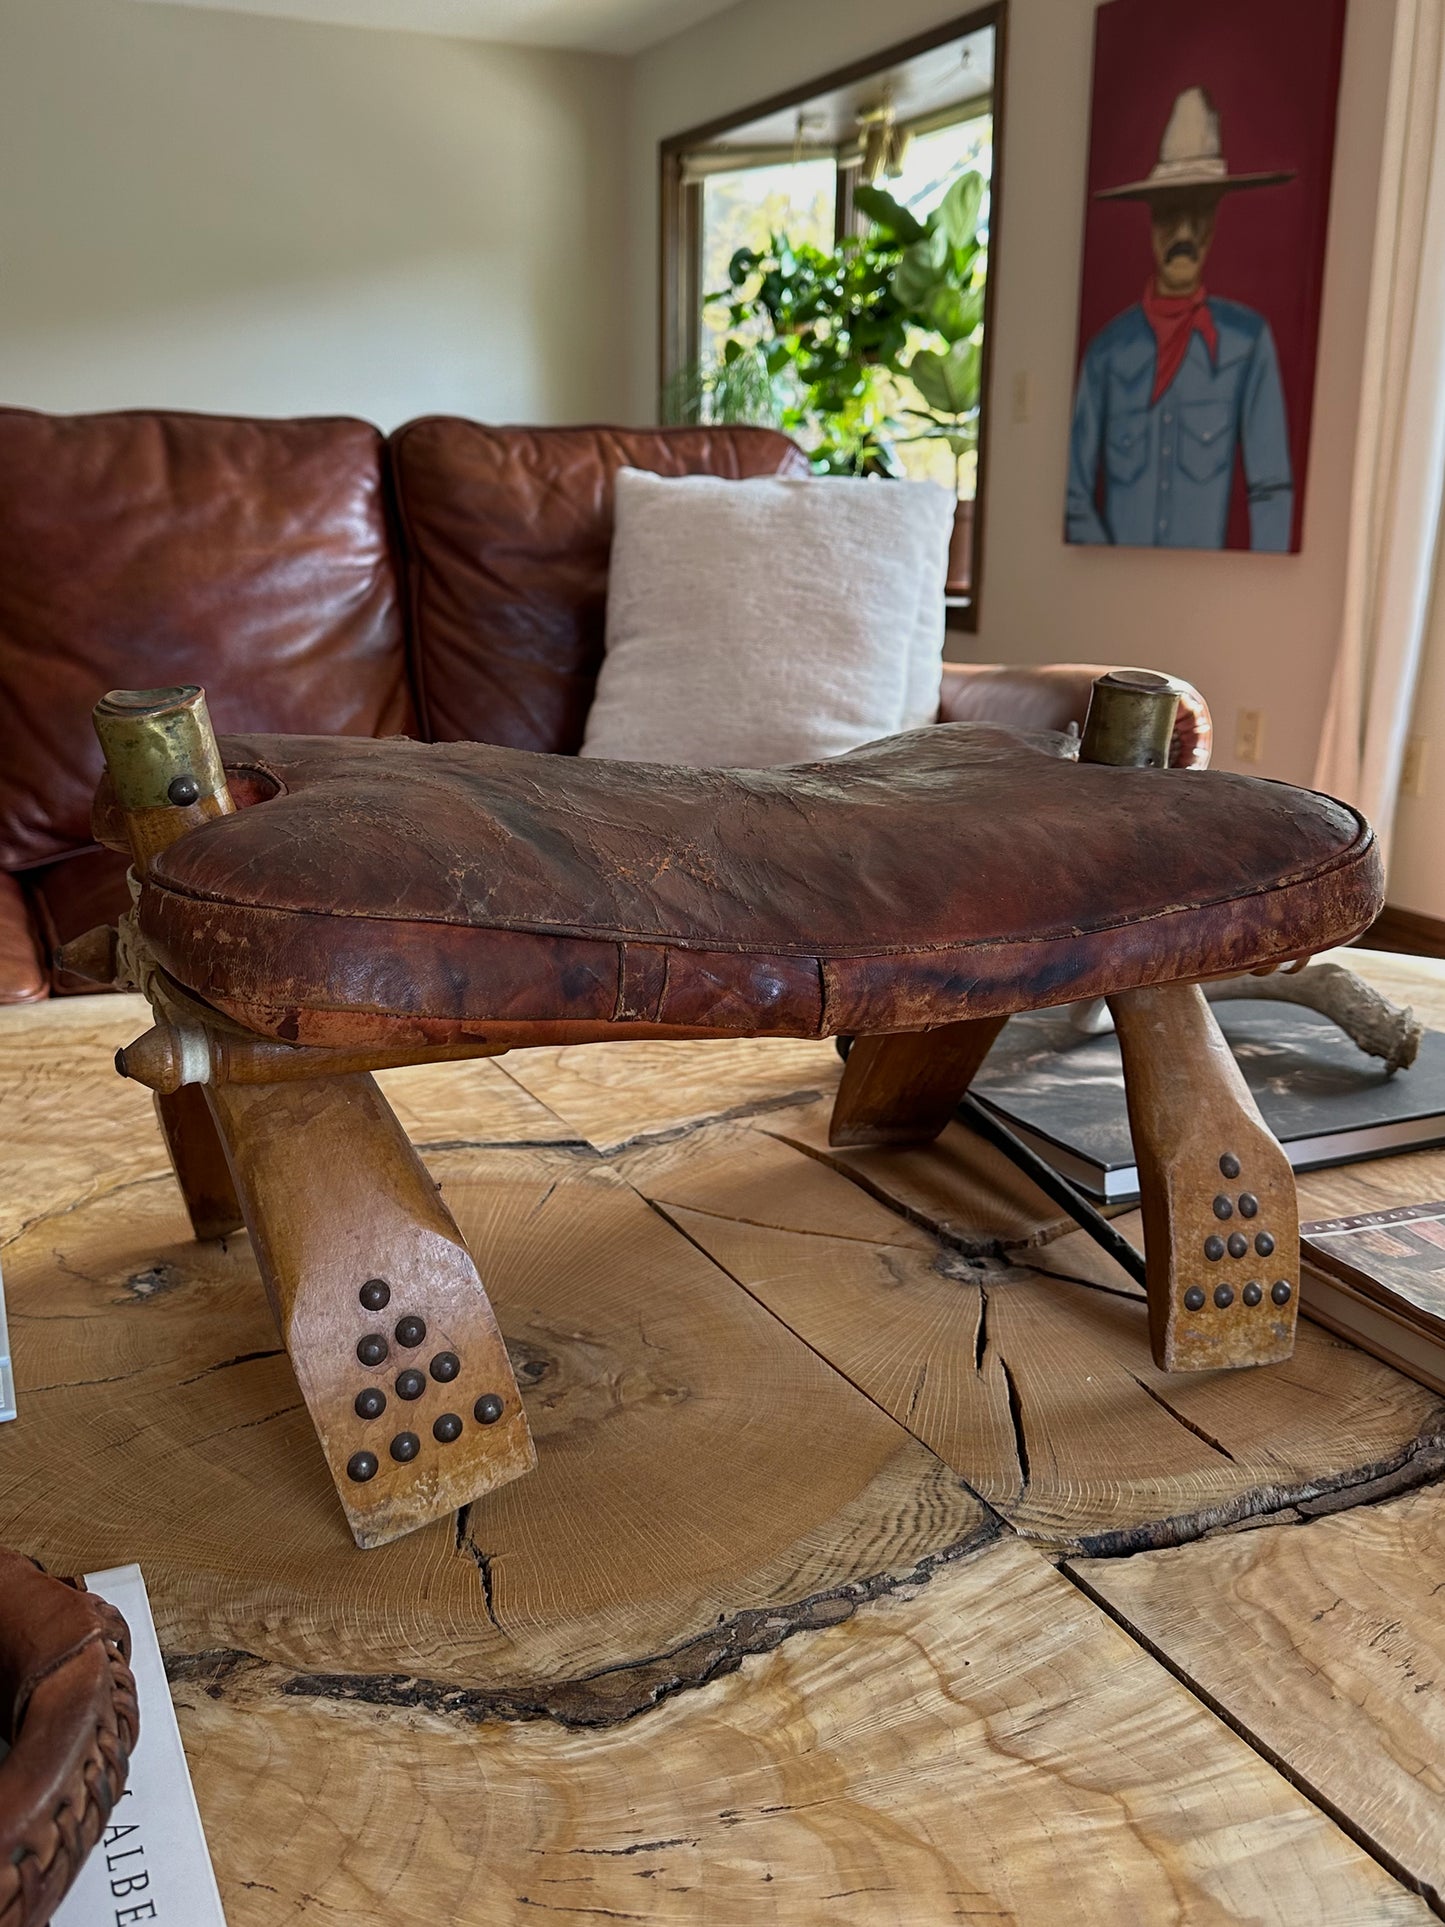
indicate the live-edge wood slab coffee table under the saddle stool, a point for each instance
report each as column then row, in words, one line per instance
column 870, row 1571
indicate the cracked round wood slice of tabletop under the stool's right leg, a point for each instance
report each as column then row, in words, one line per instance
column 1038, row 1390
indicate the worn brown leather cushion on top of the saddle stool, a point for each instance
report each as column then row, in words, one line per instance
column 398, row 893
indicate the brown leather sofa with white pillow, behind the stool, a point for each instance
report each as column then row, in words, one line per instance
column 319, row 577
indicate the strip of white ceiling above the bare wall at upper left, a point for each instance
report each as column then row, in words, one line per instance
column 592, row 26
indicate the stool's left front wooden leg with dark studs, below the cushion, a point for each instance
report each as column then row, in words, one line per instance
column 381, row 1306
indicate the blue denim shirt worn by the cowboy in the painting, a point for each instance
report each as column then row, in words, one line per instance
column 1169, row 465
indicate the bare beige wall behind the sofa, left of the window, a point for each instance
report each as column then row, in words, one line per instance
column 215, row 211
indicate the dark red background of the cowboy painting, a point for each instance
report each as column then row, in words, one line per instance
column 1273, row 70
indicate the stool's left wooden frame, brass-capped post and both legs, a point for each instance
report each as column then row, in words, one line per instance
column 381, row 1306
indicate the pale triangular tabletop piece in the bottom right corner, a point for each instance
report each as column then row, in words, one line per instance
column 1325, row 1643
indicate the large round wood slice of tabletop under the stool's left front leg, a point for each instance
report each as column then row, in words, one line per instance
column 662, row 1406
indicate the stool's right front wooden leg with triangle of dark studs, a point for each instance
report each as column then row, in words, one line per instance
column 1217, row 1190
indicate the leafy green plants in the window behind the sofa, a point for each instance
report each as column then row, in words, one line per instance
column 829, row 342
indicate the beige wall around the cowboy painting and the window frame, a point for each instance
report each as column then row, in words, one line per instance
column 1253, row 631
